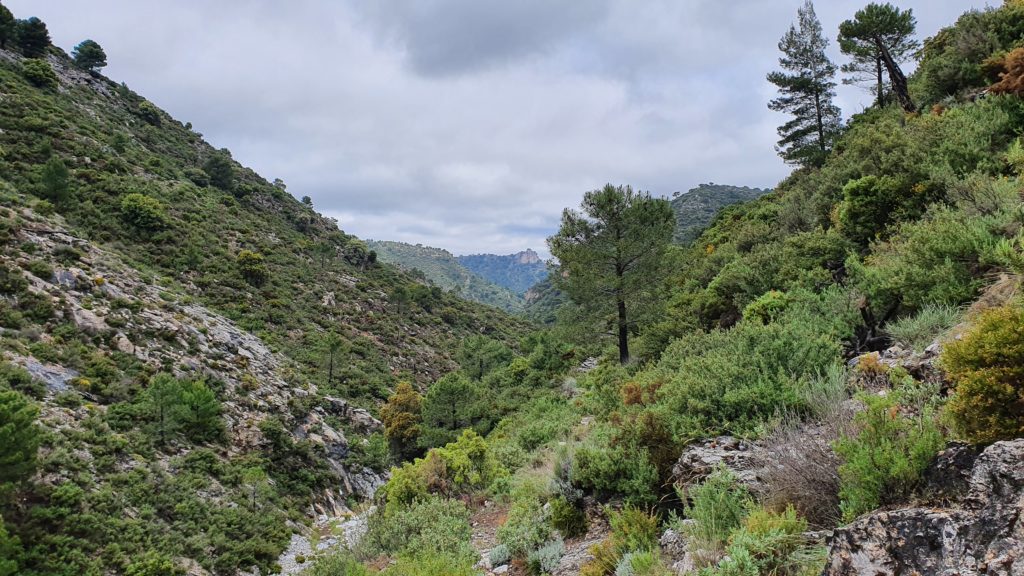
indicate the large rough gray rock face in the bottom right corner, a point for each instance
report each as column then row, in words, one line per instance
column 985, row 534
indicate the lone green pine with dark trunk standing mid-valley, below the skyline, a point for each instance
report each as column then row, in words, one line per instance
column 611, row 258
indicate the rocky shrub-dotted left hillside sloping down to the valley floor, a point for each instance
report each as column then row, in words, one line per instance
column 207, row 353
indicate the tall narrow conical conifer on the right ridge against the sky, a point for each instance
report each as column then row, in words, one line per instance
column 806, row 91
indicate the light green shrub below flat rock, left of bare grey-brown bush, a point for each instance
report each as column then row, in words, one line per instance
column 717, row 508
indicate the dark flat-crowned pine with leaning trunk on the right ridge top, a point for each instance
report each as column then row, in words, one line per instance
column 880, row 37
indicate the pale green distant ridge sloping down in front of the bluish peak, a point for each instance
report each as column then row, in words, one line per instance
column 445, row 271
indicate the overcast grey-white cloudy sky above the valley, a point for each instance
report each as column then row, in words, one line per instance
column 466, row 125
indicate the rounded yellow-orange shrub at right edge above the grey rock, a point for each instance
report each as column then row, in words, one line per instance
column 988, row 367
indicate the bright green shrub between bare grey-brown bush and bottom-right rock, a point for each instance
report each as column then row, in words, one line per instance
column 886, row 457
